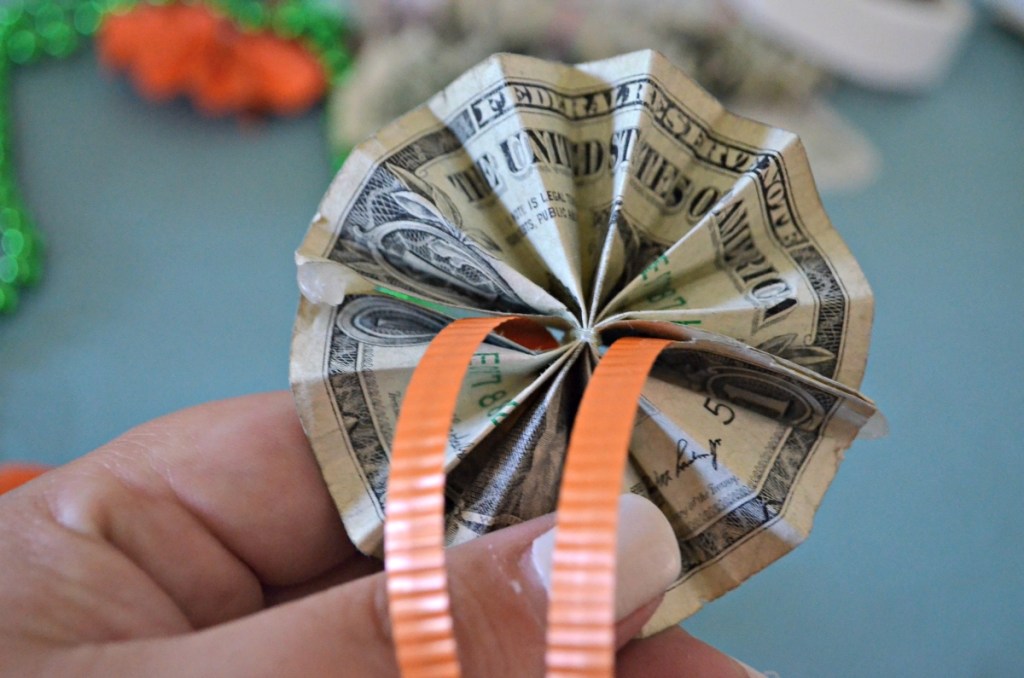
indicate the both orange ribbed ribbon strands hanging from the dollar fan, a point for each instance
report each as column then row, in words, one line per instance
column 581, row 614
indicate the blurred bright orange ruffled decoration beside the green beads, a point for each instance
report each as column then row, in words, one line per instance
column 191, row 51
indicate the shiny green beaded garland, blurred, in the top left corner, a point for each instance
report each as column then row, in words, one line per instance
column 35, row 29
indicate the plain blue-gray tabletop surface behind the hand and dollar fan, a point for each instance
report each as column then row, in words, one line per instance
column 169, row 282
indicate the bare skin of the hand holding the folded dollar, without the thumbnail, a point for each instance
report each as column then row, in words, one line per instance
column 205, row 543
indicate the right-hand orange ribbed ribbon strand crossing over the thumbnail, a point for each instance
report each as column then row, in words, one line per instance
column 582, row 610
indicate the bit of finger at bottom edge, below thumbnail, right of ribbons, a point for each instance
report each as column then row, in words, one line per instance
column 673, row 654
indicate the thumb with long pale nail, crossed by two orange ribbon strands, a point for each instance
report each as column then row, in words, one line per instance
column 499, row 602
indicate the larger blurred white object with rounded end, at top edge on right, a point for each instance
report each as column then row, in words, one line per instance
column 890, row 45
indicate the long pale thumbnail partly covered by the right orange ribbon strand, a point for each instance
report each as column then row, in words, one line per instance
column 648, row 556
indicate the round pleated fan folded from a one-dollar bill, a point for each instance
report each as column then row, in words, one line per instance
column 554, row 284
